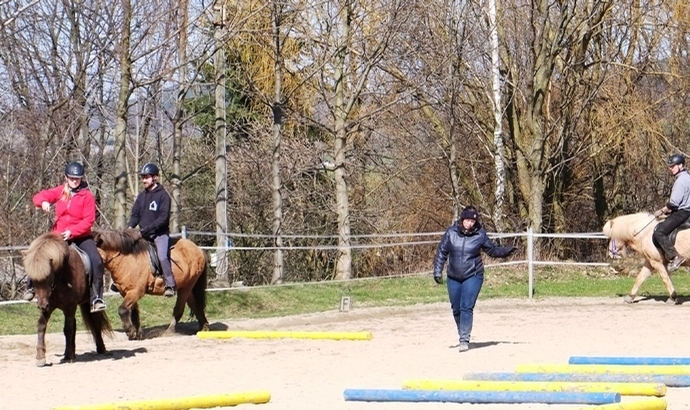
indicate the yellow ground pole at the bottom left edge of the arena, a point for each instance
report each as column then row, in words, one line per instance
column 200, row 402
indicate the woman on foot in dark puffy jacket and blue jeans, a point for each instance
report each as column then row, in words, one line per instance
column 461, row 246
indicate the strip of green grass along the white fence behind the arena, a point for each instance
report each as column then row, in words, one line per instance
column 271, row 301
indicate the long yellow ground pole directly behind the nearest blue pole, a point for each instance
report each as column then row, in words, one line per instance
column 624, row 389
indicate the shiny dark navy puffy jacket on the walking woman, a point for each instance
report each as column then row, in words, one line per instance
column 462, row 251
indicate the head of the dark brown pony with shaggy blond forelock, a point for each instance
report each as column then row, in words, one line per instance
column 45, row 257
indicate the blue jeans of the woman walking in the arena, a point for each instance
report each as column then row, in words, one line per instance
column 463, row 296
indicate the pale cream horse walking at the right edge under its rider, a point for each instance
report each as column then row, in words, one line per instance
column 635, row 231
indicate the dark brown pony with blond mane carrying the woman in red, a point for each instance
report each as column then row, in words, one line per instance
column 60, row 282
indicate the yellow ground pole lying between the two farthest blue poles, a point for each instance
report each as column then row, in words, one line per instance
column 603, row 369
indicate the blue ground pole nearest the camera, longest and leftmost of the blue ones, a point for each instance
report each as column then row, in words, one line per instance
column 479, row 396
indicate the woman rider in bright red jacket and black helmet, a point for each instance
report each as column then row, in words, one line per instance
column 75, row 213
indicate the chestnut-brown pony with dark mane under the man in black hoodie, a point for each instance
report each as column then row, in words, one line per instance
column 126, row 255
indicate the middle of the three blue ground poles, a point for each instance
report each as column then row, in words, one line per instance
column 666, row 379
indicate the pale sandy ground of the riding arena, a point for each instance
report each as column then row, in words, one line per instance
column 409, row 343
